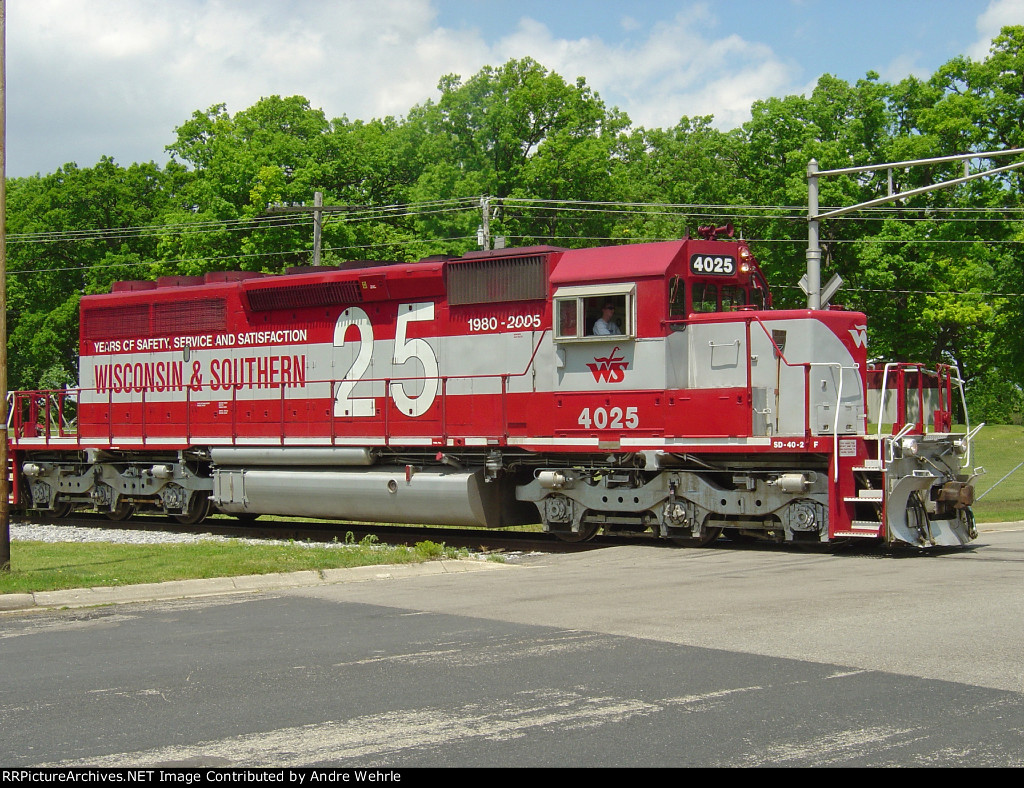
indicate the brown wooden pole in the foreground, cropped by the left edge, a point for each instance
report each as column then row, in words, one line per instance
column 5, row 488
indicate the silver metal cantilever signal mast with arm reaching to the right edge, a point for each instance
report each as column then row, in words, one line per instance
column 812, row 282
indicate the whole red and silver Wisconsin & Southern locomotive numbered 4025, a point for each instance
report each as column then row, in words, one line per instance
column 633, row 388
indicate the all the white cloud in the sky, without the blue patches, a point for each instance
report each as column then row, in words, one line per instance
column 116, row 77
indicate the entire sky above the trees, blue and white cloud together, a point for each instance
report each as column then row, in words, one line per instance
column 116, row 77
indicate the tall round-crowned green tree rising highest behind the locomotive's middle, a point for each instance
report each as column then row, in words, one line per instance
column 516, row 132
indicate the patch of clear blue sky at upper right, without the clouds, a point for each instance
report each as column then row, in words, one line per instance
column 835, row 36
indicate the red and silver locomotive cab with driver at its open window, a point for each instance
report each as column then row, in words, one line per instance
column 620, row 320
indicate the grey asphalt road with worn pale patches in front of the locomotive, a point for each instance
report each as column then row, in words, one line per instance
column 631, row 656
